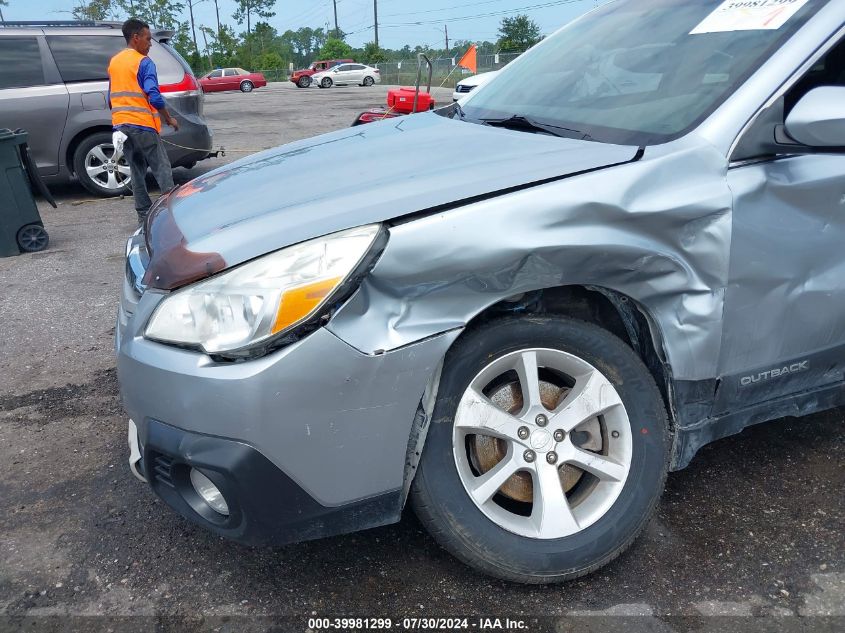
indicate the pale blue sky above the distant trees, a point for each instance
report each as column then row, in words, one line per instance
column 465, row 19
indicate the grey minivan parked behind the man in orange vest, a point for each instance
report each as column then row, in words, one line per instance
column 54, row 84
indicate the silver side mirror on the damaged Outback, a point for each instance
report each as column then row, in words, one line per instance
column 818, row 119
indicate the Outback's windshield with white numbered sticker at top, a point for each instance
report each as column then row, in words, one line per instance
column 640, row 72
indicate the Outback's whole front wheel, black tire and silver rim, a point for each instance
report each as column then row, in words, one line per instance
column 547, row 453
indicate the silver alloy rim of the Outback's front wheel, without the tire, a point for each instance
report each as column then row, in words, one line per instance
column 542, row 443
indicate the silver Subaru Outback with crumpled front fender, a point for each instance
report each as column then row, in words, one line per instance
column 548, row 296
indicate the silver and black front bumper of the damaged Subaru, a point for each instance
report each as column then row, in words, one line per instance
column 306, row 442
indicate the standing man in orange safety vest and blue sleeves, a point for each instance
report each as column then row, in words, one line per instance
column 137, row 109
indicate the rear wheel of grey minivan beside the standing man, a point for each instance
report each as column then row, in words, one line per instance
column 98, row 169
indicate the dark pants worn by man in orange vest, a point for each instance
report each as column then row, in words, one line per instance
column 143, row 149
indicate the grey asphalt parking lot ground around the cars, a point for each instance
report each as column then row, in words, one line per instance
column 753, row 527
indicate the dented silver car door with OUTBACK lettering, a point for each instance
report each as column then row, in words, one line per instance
column 784, row 319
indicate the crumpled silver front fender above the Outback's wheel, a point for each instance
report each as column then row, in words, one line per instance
column 656, row 230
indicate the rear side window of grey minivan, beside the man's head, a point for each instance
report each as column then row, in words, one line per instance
column 84, row 58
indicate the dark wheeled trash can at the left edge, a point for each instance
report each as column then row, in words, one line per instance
column 21, row 228
